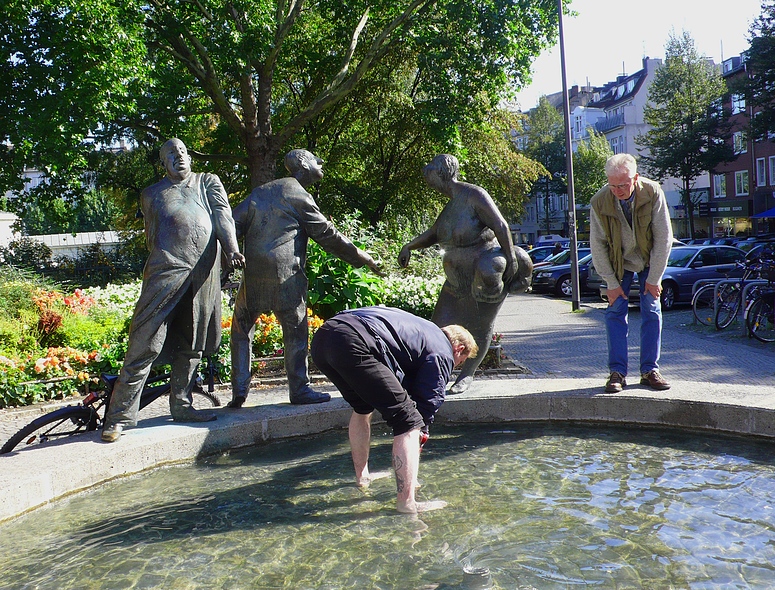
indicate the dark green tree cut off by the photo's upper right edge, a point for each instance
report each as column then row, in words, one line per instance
column 759, row 86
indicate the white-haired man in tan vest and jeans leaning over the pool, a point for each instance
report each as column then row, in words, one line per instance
column 630, row 234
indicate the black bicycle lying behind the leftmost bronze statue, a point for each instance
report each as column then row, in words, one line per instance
column 89, row 414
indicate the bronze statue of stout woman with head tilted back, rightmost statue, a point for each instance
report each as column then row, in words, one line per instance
column 481, row 263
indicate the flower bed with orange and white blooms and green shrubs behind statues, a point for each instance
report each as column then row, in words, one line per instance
column 89, row 335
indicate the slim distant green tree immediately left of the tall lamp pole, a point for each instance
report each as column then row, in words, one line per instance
column 546, row 145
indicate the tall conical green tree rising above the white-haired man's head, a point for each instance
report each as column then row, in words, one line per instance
column 689, row 131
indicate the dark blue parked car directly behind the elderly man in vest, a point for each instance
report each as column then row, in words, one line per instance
column 685, row 266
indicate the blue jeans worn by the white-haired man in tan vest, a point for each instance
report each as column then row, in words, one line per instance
column 617, row 328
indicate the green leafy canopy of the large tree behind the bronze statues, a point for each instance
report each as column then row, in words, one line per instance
column 242, row 83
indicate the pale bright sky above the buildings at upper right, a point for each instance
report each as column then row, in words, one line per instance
column 609, row 37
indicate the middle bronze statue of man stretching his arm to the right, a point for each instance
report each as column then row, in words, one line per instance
column 276, row 221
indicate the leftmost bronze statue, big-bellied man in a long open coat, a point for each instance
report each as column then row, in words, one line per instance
column 178, row 314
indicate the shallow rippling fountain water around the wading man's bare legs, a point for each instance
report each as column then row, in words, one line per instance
column 538, row 506
